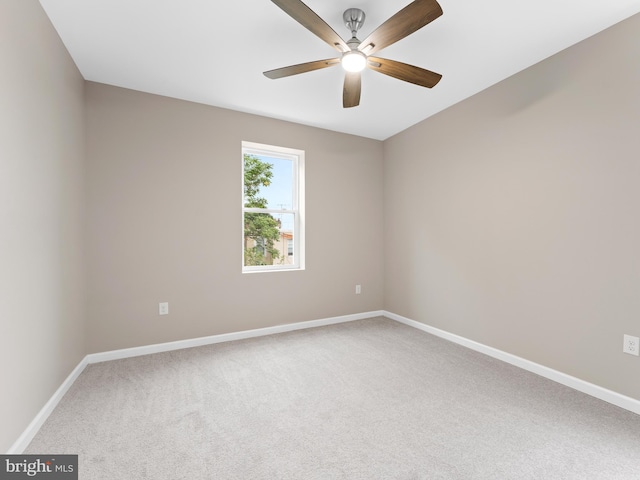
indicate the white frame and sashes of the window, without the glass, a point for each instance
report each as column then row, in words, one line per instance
column 297, row 209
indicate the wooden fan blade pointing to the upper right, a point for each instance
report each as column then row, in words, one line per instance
column 411, row 18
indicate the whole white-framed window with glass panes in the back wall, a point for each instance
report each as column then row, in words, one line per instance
column 272, row 208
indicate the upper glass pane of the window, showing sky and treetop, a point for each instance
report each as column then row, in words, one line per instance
column 268, row 182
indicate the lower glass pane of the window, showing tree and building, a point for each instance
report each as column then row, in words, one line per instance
column 268, row 239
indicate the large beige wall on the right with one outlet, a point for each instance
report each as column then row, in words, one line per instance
column 512, row 218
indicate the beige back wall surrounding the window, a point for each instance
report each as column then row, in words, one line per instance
column 164, row 222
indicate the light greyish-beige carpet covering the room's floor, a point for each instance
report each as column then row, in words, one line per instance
column 371, row 399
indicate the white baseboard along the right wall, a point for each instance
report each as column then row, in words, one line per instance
column 596, row 391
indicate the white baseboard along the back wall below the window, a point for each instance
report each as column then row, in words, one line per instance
column 225, row 337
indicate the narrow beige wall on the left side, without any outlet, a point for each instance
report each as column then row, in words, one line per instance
column 41, row 208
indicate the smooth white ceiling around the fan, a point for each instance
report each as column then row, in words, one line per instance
column 214, row 52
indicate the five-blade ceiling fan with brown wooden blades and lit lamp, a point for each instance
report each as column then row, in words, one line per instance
column 356, row 54
